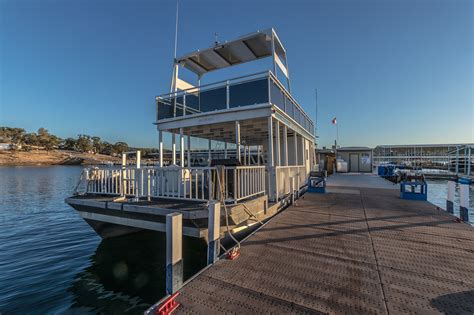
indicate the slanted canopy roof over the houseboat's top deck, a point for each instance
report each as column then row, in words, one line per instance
column 247, row 48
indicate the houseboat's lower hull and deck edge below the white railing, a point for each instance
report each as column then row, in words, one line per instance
column 112, row 216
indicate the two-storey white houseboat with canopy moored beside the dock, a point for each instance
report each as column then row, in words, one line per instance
column 259, row 145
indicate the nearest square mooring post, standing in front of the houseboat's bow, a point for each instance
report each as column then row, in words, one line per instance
column 174, row 252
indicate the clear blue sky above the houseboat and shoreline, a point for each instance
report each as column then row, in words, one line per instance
column 392, row 72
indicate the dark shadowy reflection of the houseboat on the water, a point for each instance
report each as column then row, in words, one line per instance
column 127, row 274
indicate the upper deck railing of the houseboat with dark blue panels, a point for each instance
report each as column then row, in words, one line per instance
column 251, row 90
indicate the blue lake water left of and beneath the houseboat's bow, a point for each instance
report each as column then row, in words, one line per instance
column 51, row 261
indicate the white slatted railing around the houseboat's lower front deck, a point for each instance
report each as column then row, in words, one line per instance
column 189, row 183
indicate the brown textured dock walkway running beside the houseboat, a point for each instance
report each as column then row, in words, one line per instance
column 357, row 249
